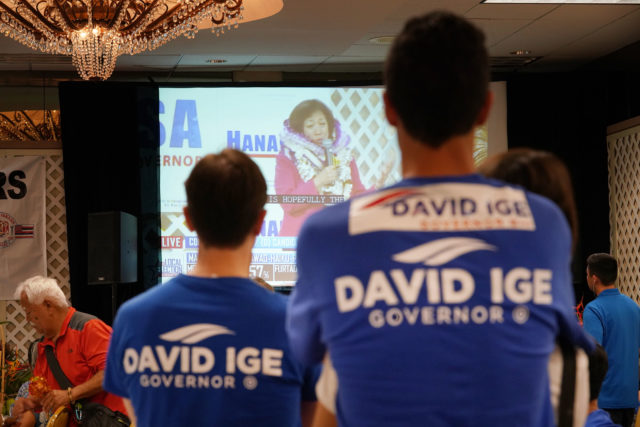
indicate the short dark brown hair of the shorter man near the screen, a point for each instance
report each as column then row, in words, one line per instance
column 226, row 193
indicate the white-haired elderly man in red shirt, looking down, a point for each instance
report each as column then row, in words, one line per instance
column 79, row 341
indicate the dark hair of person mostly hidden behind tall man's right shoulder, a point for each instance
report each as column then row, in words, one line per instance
column 540, row 172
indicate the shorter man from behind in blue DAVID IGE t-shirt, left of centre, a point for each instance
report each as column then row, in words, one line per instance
column 209, row 348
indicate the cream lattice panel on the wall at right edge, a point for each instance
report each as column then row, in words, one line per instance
column 624, row 207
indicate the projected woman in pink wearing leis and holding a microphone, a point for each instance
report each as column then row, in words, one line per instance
column 315, row 159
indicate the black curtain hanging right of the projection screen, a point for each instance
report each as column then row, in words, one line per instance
column 568, row 114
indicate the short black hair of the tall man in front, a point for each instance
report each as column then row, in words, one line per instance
column 437, row 76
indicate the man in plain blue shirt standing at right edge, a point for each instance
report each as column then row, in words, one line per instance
column 614, row 321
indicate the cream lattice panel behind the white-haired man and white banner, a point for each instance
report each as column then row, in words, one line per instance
column 19, row 331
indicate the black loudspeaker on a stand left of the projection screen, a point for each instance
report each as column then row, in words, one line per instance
column 113, row 248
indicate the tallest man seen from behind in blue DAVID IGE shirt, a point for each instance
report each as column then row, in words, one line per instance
column 440, row 298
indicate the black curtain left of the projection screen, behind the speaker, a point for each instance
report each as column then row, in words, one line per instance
column 110, row 135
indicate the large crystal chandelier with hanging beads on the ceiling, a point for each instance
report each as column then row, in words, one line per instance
column 96, row 32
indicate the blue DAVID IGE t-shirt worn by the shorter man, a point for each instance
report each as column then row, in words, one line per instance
column 204, row 352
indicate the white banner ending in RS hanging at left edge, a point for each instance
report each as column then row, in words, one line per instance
column 22, row 221
